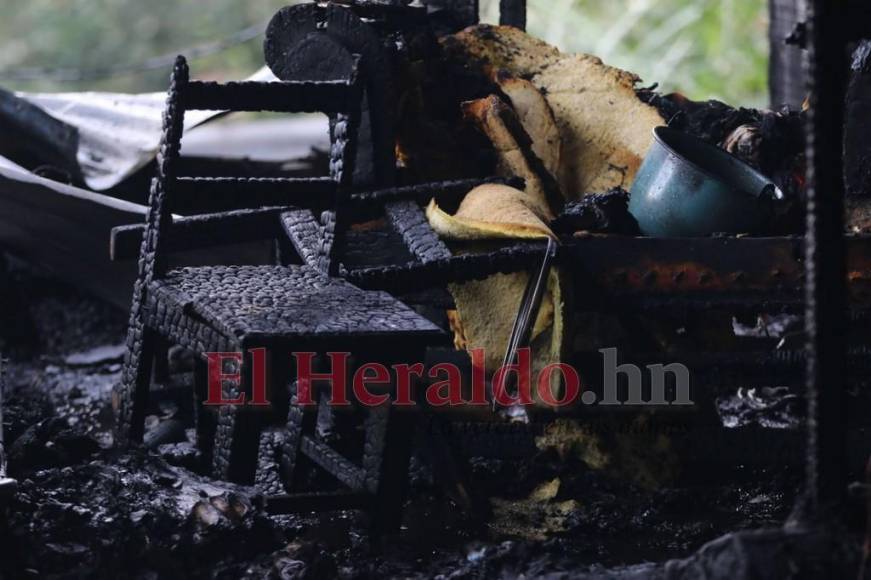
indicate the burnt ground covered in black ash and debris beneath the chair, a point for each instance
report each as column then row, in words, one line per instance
column 84, row 510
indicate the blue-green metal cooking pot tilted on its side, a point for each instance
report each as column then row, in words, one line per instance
column 689, row 188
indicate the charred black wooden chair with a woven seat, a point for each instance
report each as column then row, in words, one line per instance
column 284, row 308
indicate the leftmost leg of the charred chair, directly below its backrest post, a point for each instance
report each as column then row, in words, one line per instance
column 130, row 398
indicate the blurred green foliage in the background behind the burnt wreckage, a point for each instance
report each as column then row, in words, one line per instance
column 704, row 48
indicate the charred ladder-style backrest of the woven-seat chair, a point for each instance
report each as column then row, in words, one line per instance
column 203, row 195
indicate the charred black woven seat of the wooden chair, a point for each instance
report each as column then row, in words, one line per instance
column 260, row 304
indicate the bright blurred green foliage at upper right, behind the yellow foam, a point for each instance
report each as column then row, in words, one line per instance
column 703, row 48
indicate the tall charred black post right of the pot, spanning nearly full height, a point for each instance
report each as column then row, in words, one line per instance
column 825, row 258
